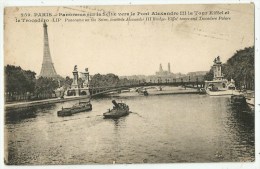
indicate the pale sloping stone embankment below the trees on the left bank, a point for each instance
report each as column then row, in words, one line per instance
column 13, row 106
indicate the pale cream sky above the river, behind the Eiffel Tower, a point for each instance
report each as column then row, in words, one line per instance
column 127, row 48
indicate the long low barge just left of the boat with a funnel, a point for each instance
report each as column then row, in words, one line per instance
column 80, row 107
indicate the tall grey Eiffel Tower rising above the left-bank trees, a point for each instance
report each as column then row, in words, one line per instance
column 47, row 69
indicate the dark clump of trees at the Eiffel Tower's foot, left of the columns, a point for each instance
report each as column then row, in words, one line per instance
column 22, row 84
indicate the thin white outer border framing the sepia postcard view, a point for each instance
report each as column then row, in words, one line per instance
column 253, row 165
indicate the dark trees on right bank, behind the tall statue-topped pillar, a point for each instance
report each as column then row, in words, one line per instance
column 240, row 67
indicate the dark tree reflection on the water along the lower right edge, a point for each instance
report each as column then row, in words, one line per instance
column 240, row 125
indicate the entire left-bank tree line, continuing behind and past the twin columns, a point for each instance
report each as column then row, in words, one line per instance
column 22, row 84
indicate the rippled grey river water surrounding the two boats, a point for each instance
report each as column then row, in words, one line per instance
column 160, row 129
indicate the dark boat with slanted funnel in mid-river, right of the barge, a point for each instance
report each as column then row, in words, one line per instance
column 119, row 110
